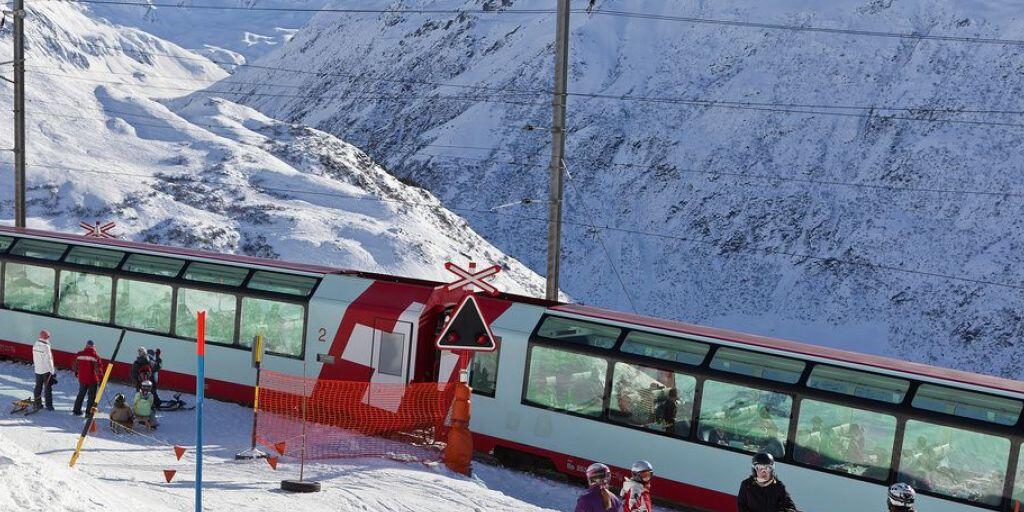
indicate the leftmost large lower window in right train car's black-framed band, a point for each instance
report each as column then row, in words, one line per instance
column 567, row 381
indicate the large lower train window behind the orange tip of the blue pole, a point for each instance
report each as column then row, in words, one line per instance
column 220, row 310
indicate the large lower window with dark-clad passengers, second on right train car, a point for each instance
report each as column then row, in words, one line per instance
column 656, row 400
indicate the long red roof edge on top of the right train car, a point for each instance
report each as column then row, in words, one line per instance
column 834, row 355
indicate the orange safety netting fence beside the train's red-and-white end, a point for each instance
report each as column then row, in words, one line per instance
column 343, row 419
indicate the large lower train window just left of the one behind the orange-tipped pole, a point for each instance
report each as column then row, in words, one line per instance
column 143, row 306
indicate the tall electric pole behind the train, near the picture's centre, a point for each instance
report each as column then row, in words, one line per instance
column 556, row 187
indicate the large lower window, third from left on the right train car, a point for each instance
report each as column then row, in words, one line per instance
column 752, row 420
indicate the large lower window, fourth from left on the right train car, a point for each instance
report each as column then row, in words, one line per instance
column 852, row 441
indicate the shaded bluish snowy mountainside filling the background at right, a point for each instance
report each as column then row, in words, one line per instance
column 814, row 258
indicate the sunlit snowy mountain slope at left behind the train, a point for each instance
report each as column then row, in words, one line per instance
column 125, row 126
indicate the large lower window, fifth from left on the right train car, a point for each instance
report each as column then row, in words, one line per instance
column 954, row 462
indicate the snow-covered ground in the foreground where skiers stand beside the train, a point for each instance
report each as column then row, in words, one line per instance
column 125, row 473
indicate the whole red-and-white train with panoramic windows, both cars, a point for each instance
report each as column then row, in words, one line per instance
column 569, row 385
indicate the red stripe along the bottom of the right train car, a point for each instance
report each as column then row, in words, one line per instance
column 692, row 496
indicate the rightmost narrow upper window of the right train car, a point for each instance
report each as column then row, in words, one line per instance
column 968, row 405
